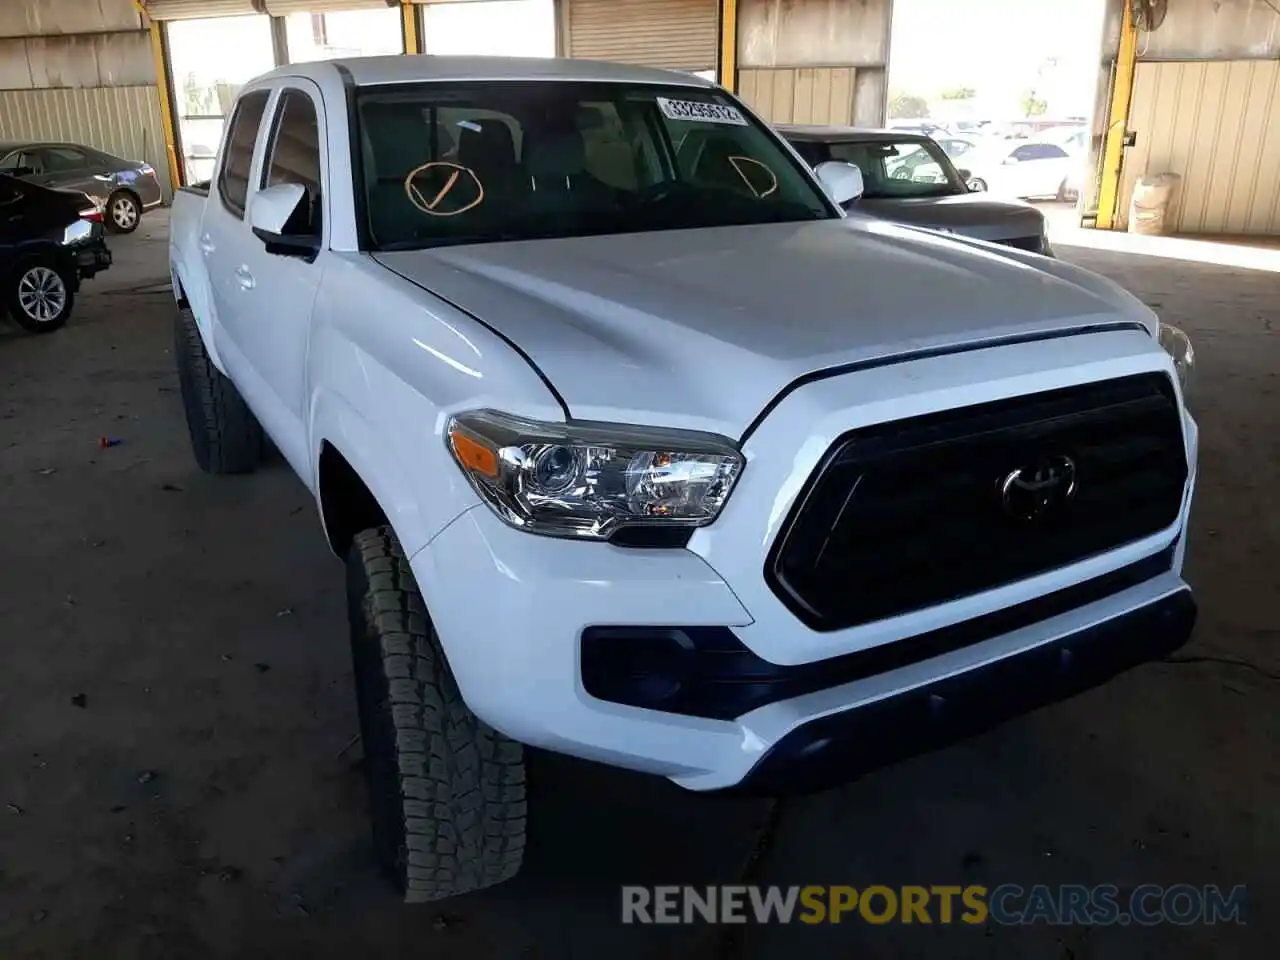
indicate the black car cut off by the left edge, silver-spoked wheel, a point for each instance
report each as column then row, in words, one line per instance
column 49, row 243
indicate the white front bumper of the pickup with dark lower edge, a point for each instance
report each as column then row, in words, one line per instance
column 511, row 611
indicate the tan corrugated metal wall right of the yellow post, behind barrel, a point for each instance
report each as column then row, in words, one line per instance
column 1217, row 125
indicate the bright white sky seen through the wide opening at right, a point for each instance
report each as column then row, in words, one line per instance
column 999, row 48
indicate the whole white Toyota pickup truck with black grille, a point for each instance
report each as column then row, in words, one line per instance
column 639, row 450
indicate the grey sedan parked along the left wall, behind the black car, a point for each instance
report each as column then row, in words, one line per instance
column 122, row 189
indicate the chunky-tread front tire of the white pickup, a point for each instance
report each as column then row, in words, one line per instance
column 446, row 792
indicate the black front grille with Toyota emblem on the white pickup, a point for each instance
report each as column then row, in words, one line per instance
column 917, row 513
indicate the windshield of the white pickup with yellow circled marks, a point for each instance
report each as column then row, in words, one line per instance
column 473, row 163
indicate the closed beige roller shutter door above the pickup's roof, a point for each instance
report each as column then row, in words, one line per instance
column 680, row 35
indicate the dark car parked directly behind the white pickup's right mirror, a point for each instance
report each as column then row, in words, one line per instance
column 911, row 180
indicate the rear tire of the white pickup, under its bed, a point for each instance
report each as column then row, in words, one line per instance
column 226, row 437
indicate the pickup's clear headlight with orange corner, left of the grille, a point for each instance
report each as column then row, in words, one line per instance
column 588, row 481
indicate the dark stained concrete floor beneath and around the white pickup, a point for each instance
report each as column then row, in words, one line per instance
column 177, row 770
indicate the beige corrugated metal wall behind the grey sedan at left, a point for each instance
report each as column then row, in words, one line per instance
column 124, row 121
